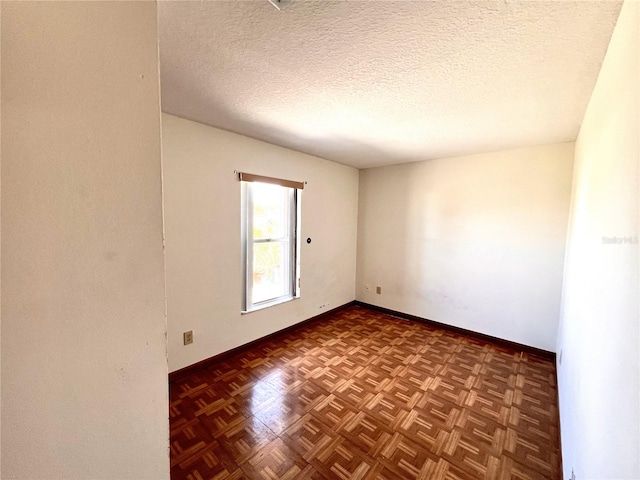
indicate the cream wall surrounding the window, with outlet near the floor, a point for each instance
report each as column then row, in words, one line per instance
column 202, row 225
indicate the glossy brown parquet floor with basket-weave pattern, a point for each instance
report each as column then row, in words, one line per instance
column 363, row 395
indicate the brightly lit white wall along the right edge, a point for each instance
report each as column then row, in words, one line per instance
column 599, row 375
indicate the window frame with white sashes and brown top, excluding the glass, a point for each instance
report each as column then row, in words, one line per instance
column 248, row 241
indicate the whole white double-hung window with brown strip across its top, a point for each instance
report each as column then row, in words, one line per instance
column 270, row 236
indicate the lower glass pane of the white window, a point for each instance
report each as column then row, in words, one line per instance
column 271, row 277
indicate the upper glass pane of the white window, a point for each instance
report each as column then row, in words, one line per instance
column 270, row 211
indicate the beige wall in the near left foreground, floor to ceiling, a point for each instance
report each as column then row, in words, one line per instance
column 84, row 368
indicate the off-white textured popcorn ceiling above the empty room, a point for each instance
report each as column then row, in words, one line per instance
column 383, row 82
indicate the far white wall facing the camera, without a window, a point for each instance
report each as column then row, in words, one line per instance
column 476, row 242
